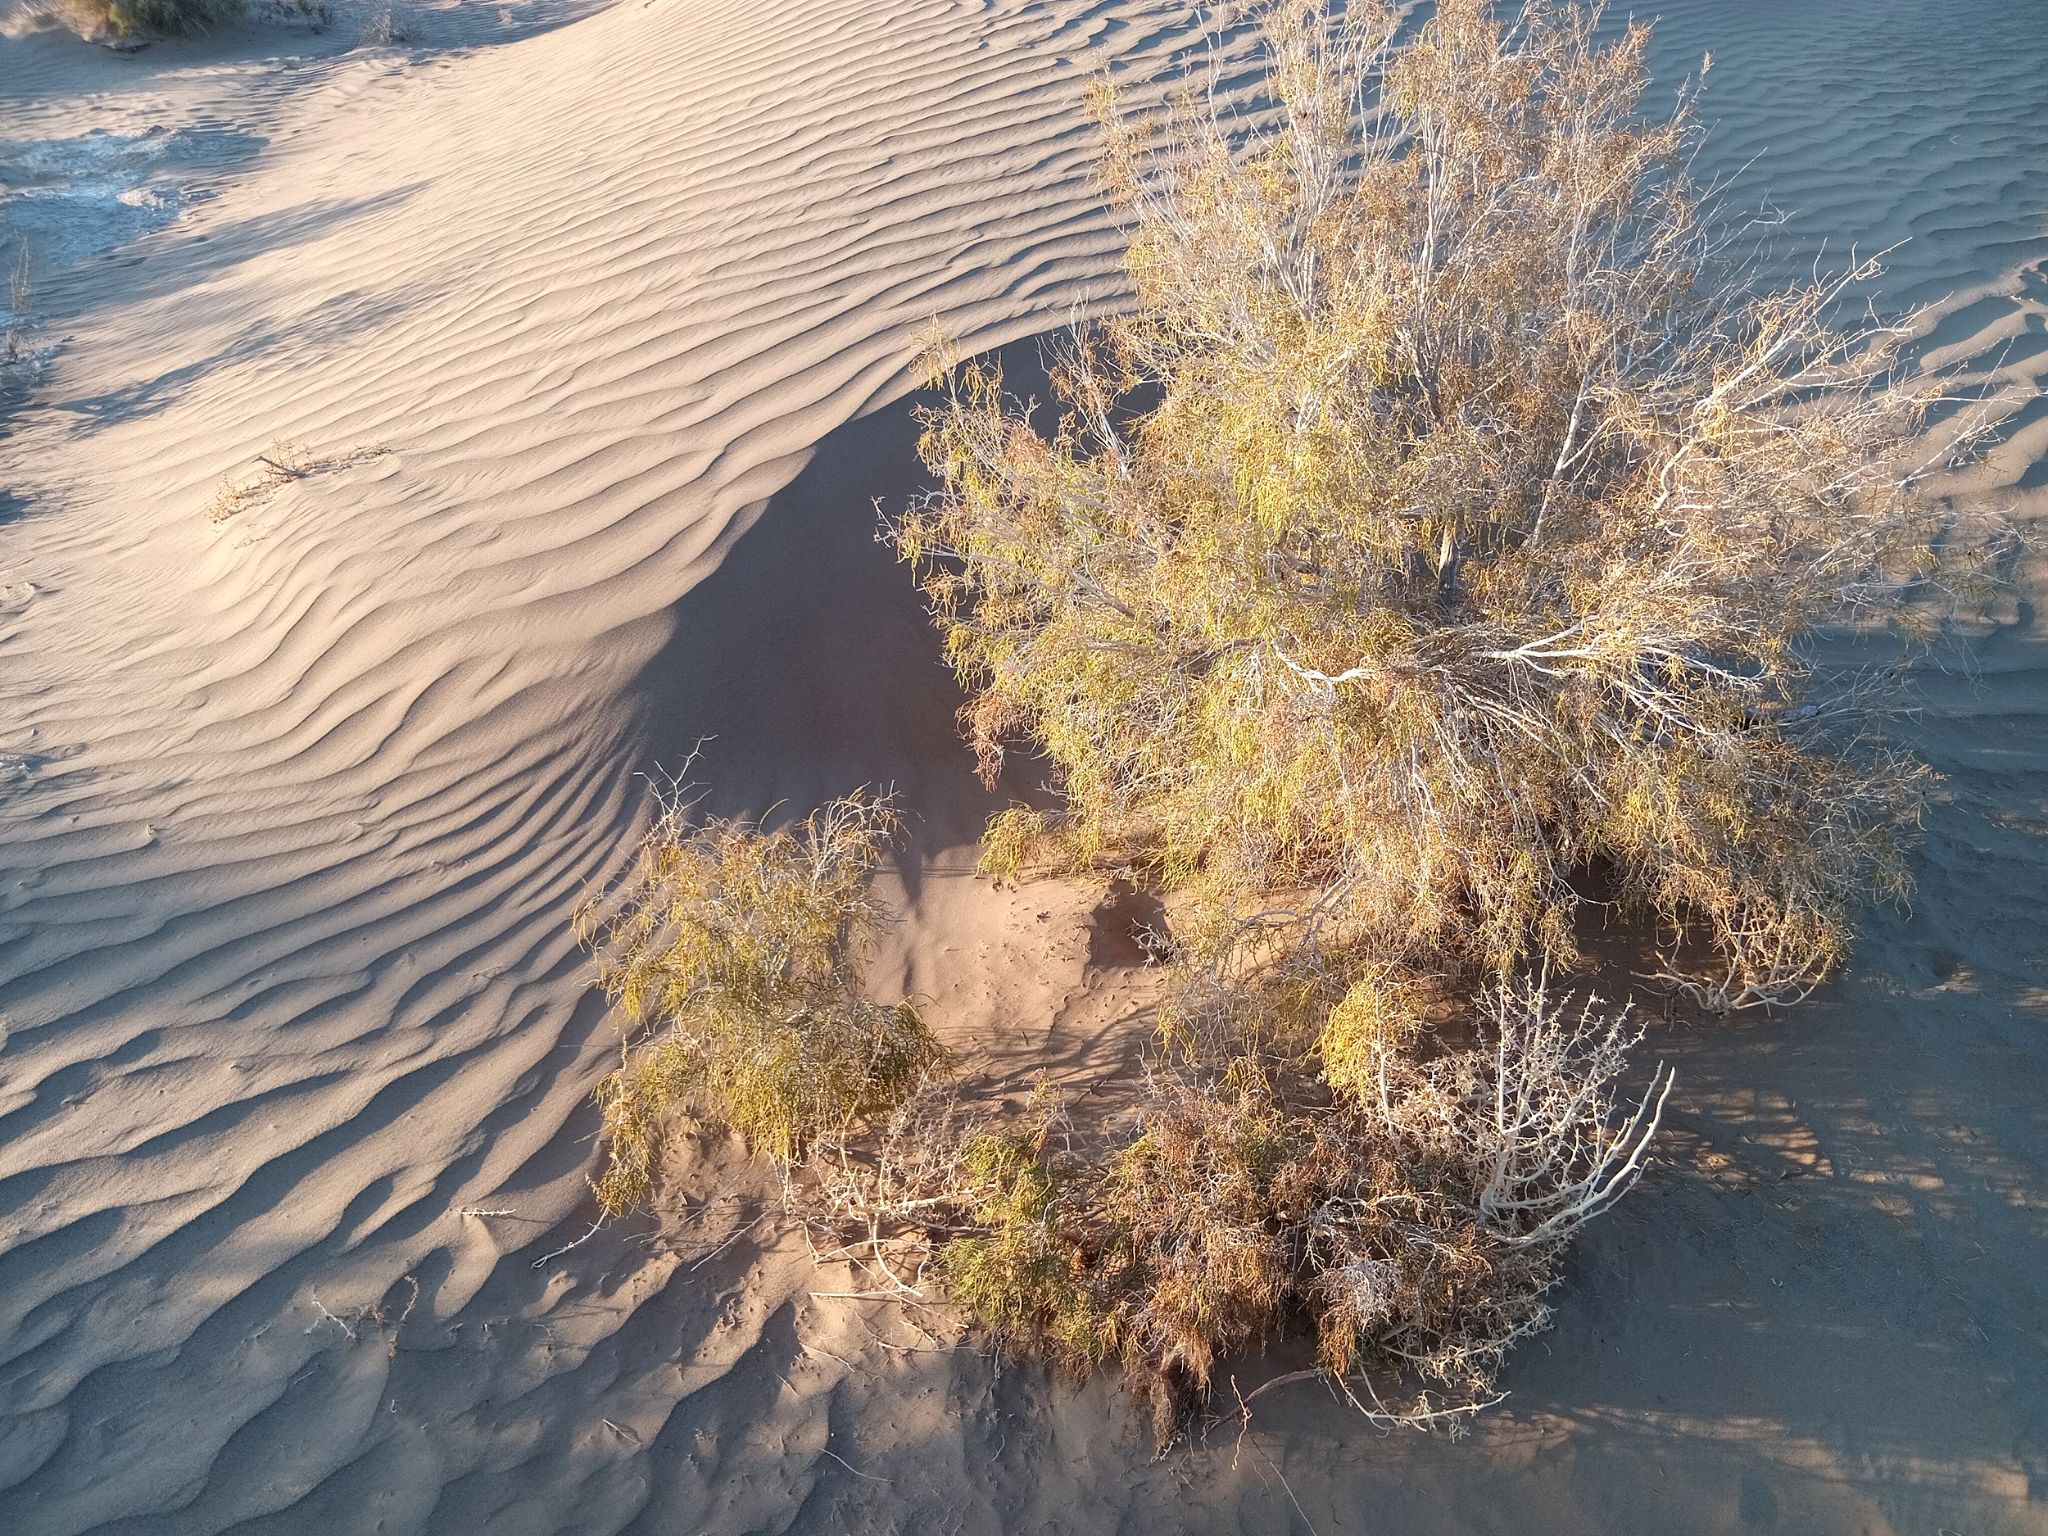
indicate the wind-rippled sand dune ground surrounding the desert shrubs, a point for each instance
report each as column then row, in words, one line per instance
column 294, row 814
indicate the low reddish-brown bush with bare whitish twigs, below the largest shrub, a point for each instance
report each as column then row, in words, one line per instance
column 1414, row 1232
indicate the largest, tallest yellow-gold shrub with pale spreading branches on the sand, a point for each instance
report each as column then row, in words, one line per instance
column 1476, row 538
